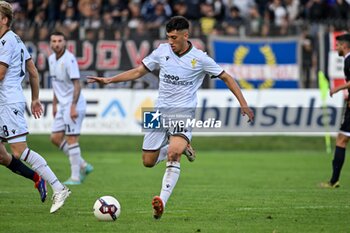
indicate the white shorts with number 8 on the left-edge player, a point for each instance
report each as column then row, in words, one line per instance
column 13, row 126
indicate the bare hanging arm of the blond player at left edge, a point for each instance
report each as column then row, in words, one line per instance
column 36, row 107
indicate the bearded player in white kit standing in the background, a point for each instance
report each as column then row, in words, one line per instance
column 69, row 107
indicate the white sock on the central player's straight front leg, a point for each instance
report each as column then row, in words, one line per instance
column 171, row 175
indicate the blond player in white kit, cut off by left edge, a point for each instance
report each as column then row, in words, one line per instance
column 14, row 61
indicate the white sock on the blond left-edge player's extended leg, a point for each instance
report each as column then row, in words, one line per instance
column 38, row 163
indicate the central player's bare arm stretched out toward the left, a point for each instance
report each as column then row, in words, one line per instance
column 129, row 75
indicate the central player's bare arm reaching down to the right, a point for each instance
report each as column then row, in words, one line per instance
column 234, row 88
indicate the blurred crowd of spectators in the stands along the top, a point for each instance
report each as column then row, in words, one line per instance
column 145, row 19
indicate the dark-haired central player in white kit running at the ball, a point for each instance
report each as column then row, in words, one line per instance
column 182, row 69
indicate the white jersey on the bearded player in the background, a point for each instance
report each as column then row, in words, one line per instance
column 62, row 71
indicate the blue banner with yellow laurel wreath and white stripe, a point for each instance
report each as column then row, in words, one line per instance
column 258, row 63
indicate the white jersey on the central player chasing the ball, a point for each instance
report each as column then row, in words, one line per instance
column 180, row 76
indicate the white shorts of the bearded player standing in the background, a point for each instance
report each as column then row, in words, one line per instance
column 64, row 123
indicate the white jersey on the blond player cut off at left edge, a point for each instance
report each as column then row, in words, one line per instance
column 14, row 55
